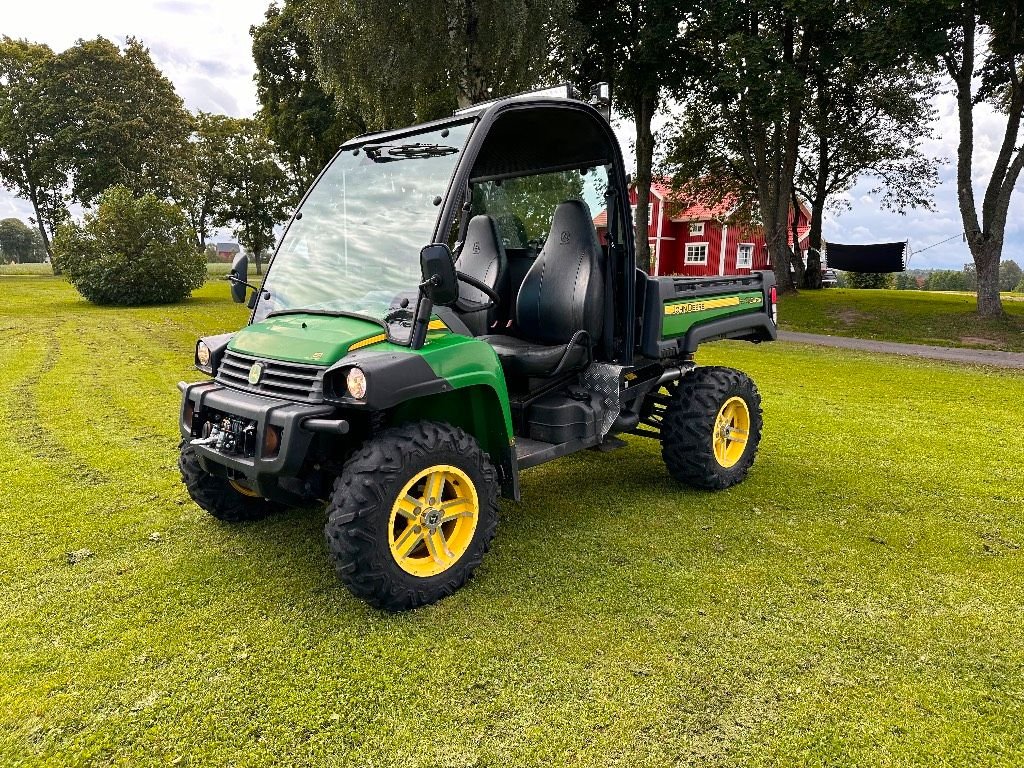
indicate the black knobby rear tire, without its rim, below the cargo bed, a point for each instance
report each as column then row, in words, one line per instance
column 689, row 428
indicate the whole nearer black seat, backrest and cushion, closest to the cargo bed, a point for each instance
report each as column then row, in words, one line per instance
column 560, row 311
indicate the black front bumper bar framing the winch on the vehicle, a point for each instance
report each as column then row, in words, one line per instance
column 261, row 473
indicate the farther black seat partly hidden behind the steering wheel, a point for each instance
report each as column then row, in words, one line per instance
column 483, row 258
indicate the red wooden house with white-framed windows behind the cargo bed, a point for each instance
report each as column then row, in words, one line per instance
column 701, row 241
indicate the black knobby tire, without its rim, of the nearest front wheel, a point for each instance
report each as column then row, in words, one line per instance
column 361, row 505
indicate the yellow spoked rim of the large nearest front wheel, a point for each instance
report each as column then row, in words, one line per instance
column 434, row 521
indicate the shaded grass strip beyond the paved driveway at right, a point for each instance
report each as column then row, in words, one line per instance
column 913, row 317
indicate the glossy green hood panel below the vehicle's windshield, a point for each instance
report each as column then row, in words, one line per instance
column 312, row 339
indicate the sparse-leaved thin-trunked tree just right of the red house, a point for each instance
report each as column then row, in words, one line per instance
column 865, row 116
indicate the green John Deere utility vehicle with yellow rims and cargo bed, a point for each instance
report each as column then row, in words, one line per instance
column 452, row 305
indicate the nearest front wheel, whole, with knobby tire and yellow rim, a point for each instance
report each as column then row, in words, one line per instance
column 412, row 516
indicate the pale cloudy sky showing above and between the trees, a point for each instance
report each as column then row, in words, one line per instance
column 205, row 50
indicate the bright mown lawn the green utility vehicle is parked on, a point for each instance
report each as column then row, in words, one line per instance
column 858, row 602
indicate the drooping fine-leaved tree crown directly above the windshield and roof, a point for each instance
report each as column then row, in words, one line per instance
column 406, row 62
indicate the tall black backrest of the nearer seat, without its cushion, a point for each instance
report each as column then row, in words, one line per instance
column 565, row 289
